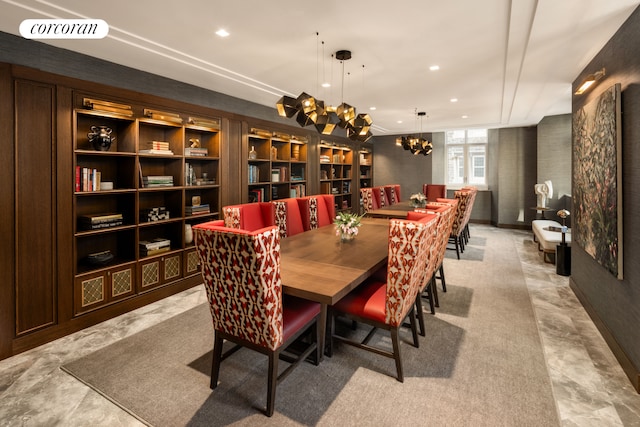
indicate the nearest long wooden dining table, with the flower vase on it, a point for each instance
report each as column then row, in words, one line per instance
column 318, row 266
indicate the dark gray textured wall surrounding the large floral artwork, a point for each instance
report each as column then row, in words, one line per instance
column 615, row 304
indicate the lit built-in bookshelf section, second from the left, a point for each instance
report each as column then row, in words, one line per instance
column 277, row 166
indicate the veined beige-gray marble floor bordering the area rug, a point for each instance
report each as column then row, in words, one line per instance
column 589, row 385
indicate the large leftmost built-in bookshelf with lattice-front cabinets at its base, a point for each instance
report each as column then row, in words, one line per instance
column 134, row 198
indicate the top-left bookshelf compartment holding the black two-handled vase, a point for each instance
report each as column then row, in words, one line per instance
column 123, row 131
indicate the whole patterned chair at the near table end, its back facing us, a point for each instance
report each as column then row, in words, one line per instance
column 241, row 272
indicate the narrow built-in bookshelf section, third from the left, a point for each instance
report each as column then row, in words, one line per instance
column 336, row 173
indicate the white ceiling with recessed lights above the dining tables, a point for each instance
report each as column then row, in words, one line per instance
column 509, row 63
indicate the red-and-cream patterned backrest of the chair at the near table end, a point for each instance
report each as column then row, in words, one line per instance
column 241, row 272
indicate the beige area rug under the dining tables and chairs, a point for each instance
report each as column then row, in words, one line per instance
column 481, row 364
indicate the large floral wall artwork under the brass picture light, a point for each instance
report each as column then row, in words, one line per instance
column 597, row 180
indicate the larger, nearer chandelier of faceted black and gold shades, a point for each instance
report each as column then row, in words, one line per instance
column 311, row 111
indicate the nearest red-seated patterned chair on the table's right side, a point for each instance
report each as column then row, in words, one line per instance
column 387, row 305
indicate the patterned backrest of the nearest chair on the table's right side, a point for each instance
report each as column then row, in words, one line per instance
column 408, row 254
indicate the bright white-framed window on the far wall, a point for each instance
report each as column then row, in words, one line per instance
column 466, row 159
